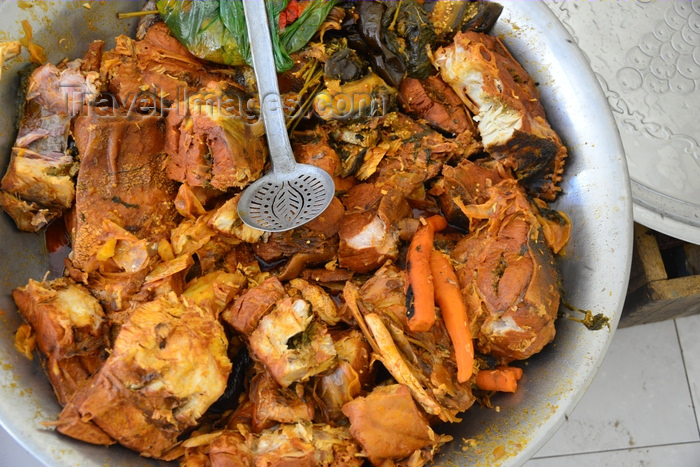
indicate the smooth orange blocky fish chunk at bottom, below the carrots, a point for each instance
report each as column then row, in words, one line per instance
column 388, row 424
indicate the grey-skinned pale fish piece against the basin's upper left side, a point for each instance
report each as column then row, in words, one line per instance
column 38, row 184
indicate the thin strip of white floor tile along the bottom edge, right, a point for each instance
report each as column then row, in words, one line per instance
column 679, row 455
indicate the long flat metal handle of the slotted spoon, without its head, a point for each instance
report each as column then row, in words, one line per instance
column 266, row 77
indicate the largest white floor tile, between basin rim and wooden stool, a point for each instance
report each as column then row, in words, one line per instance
column 639, row 398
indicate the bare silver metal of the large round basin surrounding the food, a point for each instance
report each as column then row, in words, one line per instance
column 595, row 268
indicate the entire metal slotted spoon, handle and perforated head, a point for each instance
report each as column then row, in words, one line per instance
column 291, row 194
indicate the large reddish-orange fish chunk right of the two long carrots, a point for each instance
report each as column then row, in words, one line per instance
column 507, row 274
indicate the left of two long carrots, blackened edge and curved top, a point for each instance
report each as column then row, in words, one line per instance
column 420, row 294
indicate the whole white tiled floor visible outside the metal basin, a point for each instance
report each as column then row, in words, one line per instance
column 642, row 409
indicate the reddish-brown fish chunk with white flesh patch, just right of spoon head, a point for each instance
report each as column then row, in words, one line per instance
column 368, row 232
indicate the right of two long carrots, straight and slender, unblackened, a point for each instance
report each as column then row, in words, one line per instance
column 454, row 312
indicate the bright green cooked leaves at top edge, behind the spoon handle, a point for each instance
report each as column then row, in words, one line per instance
column 215, row 30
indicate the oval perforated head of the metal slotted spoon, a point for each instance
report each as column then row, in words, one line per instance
column 283, row 201
